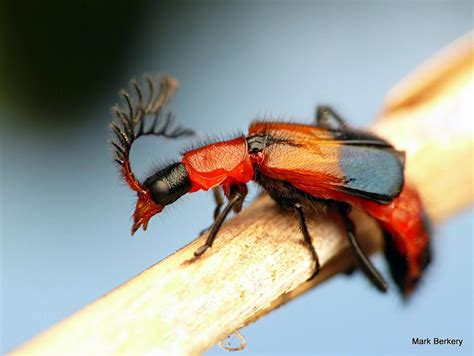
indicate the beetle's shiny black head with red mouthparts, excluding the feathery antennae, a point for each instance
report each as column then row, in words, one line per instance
column 160, row 189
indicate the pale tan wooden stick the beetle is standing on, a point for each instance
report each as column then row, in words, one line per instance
column 258, row 262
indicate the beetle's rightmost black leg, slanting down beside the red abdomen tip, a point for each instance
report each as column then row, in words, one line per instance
column 364, row 262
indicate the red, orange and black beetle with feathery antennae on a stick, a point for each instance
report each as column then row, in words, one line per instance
column 302, row 167
